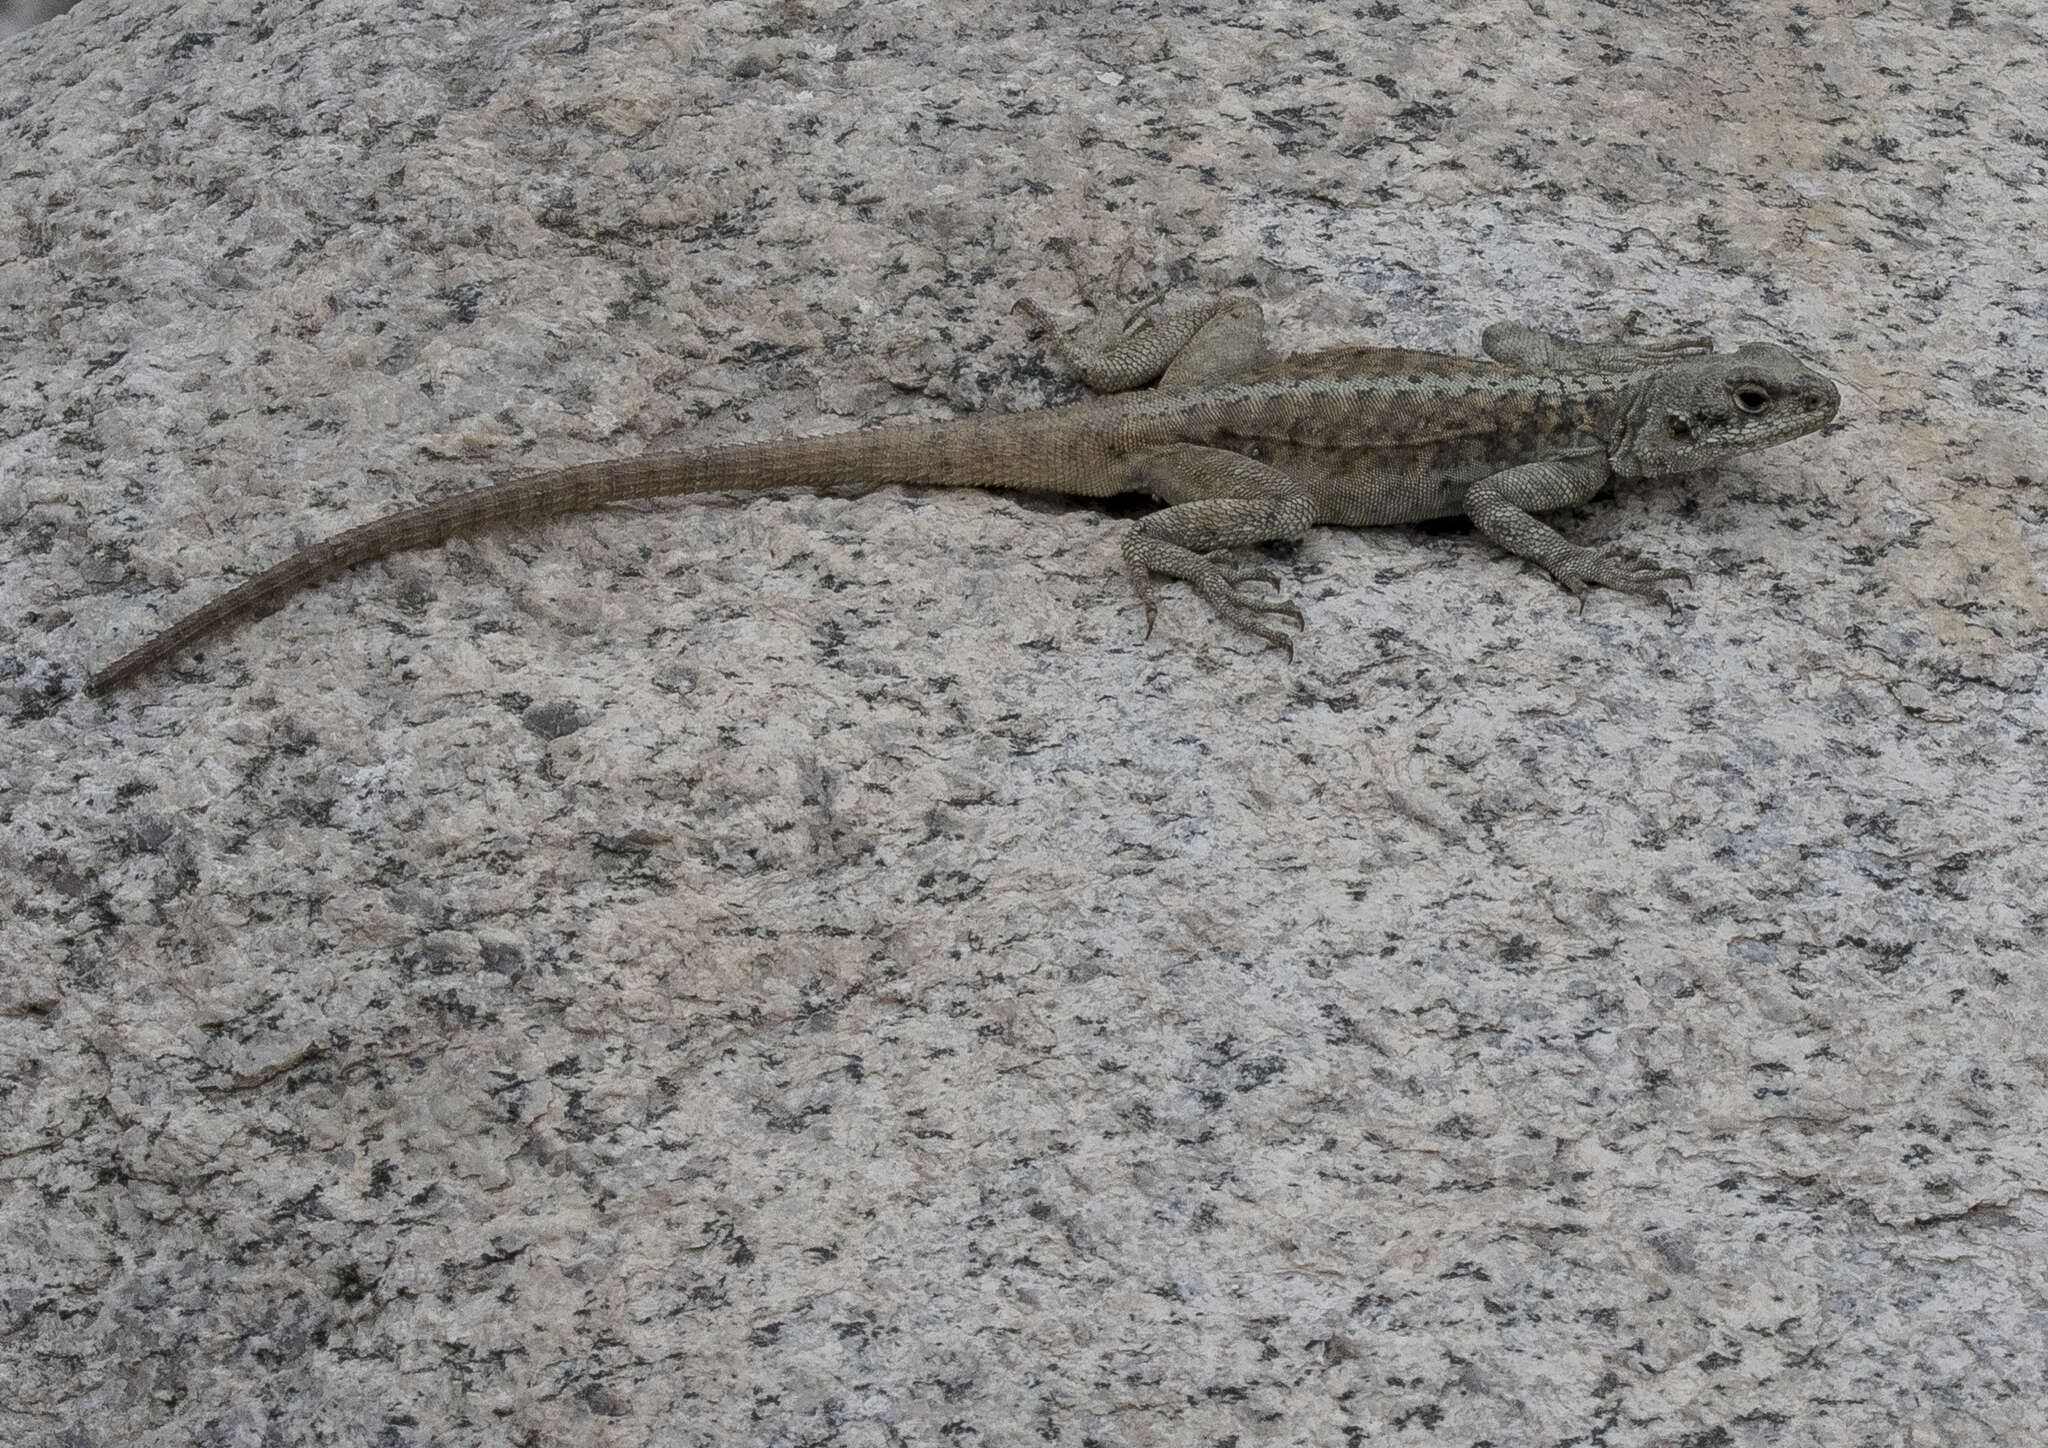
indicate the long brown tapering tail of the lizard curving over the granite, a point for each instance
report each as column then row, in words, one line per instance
column 943, row 454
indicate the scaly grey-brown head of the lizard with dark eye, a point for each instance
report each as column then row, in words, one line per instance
column 1707, row 409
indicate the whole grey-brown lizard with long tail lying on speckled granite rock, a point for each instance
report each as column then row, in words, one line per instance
column 1238, row 448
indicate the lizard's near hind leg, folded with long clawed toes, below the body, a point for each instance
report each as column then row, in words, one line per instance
column 1215, row 501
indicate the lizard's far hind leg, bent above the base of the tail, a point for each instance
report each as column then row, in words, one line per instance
column 1125, row 347
